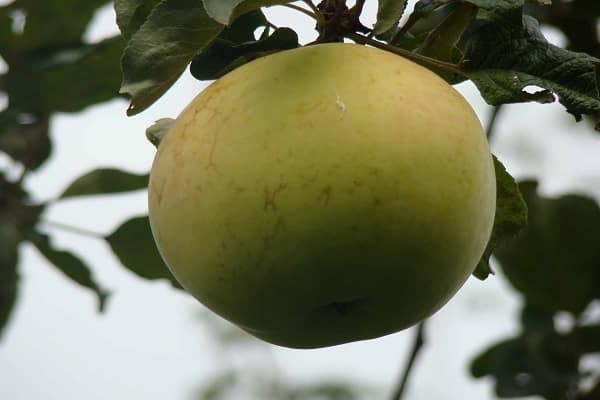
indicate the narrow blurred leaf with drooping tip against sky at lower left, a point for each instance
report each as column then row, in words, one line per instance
column 72, row 266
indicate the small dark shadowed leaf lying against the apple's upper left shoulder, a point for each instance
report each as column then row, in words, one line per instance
column 223, row 56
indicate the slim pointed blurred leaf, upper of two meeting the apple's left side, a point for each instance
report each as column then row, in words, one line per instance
column 105, row 181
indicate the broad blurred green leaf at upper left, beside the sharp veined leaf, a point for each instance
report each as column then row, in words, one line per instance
column 67, row 79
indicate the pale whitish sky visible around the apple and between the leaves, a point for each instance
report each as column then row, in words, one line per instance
column 153, row 343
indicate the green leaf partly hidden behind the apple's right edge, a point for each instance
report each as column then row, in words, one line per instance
column 510, row 218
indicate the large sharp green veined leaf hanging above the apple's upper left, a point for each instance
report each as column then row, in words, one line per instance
column 158, row 52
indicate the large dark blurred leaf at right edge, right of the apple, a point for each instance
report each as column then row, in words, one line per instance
column 554, row 262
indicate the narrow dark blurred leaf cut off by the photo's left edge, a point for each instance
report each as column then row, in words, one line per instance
column 9, row 257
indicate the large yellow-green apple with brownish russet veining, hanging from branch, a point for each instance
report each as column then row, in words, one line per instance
column 324, row 195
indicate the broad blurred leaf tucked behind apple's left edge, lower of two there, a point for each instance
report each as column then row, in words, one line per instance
column 134, row 245
